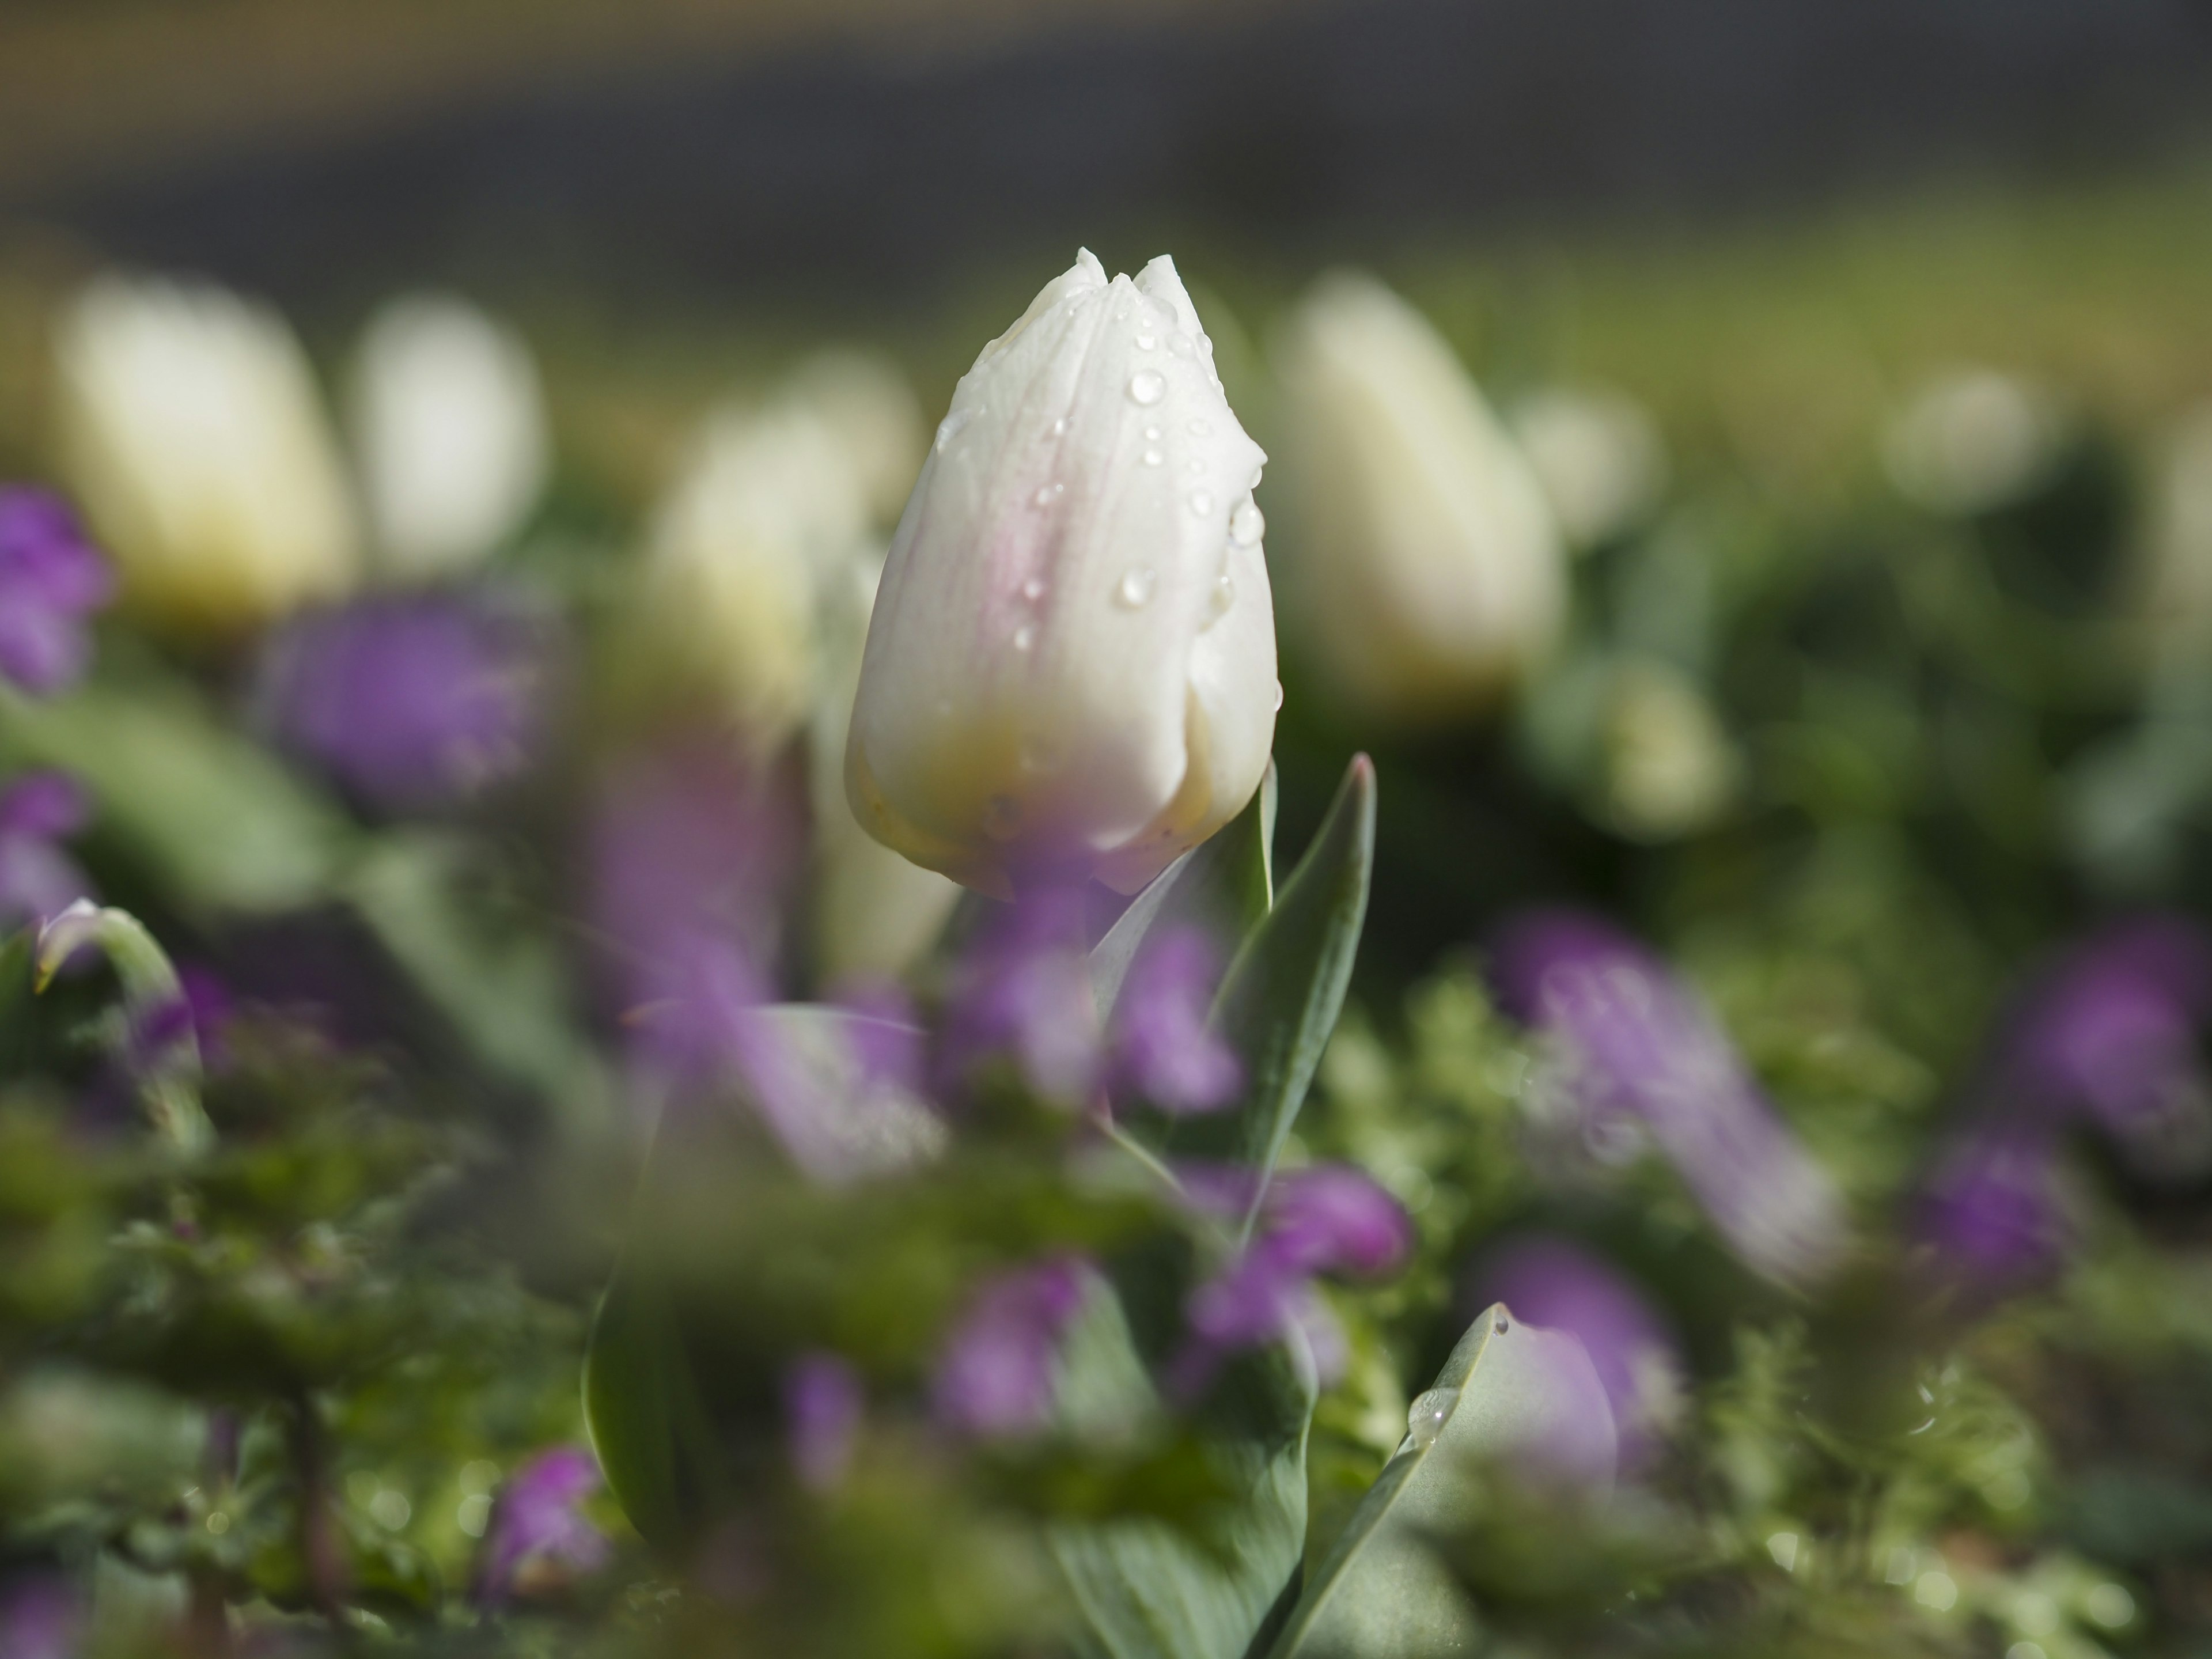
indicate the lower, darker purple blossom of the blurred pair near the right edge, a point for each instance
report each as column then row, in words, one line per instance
column 1996, row 1211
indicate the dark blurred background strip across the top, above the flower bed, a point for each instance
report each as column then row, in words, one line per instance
column 771, row 145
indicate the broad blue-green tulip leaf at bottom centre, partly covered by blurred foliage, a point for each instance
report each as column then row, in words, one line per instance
column 1149, row 1589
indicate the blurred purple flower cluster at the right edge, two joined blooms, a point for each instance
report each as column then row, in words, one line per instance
column 2103, row 1041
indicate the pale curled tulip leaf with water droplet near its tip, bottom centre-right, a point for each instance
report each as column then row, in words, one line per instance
column 1510, row 1395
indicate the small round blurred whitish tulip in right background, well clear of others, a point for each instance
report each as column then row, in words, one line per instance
column 1972, row 439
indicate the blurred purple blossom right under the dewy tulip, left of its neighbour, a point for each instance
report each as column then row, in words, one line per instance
column 1023, row 994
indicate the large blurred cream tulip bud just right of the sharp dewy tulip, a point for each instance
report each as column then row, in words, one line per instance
column 1430, row 572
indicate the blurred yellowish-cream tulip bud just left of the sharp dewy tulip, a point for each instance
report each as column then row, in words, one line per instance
column 766, row 508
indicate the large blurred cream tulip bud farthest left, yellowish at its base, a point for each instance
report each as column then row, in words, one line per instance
column 196, row 439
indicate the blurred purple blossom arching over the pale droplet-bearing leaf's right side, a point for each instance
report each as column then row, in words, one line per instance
column 1561, row 1286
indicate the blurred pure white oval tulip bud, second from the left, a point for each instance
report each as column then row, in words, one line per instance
column 452, row 435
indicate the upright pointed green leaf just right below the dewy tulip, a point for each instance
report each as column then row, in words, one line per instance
column 1286, row 988
